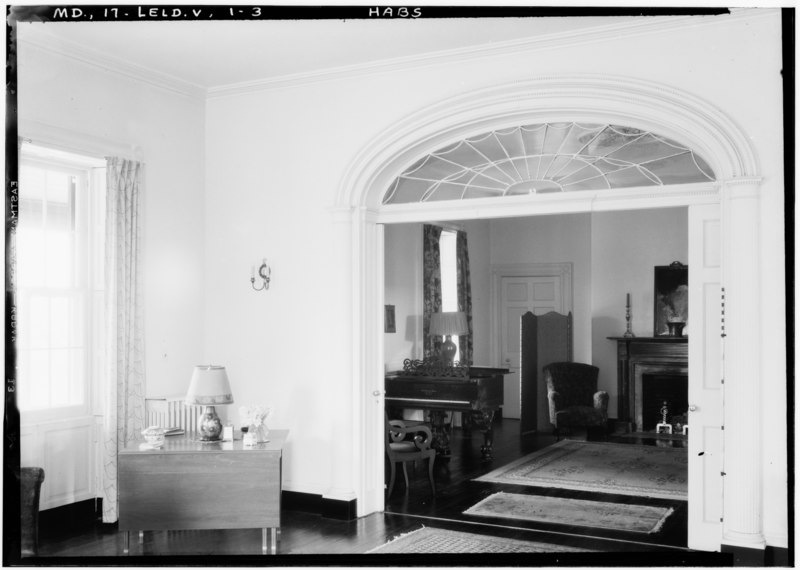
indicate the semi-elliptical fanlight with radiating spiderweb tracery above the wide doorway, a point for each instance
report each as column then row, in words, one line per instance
column 547, row 158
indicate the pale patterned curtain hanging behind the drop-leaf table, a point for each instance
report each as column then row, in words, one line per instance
column 124, row 401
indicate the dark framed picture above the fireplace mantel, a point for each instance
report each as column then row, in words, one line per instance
column 671, row 296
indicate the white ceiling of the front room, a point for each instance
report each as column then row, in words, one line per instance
column 213, row 54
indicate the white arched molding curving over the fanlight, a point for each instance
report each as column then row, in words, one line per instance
column 673, row 113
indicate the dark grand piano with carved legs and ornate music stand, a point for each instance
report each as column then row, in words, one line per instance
column 439, row 388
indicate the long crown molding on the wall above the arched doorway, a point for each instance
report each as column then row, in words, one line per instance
column 644, row 26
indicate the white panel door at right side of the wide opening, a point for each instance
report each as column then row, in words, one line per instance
column 705, row 378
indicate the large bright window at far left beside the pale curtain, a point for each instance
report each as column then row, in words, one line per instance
column 59, row 279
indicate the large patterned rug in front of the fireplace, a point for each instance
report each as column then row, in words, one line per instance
column 624, row 469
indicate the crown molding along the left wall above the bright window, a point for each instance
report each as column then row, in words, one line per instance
column 93, row 58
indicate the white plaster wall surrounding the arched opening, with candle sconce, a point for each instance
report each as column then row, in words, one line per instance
column 266, row 197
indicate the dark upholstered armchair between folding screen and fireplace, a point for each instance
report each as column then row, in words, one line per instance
column 573, row 398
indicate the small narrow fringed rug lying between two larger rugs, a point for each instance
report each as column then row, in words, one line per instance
column 559, row 510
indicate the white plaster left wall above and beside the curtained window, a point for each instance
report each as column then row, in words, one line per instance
column 165, row 130
